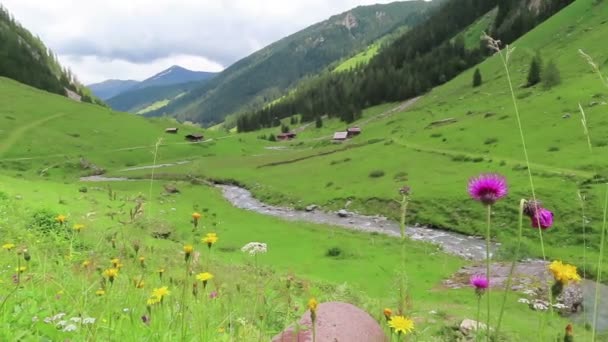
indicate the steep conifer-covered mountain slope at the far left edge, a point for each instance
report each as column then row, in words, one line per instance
column 25, row 58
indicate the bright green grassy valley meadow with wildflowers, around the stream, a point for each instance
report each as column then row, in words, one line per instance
column 48, row 142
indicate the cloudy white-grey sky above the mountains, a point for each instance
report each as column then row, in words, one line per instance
column 134, row 39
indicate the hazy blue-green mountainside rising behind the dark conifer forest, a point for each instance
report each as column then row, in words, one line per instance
column 263, row 76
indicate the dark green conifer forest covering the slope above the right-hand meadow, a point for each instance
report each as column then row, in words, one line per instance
column 422, row 58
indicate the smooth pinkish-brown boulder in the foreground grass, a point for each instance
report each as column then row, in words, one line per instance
column 336, row 321
